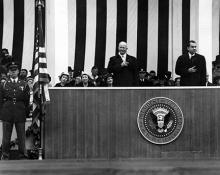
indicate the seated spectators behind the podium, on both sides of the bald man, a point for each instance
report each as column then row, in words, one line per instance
column 105, row 79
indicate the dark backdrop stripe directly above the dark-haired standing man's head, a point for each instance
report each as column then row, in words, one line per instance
column 186, row 24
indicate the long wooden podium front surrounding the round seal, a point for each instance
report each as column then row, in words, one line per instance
column 102, row 124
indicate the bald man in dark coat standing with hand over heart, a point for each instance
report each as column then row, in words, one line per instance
column 123, row 67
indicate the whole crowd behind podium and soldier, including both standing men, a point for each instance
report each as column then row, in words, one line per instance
column 122, row 71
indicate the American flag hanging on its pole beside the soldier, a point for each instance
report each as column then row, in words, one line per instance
column 41, row 76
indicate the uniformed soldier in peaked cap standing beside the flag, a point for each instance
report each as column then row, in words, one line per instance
column 14, row 103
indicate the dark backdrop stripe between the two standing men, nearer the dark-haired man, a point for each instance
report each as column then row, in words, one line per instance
column 163, row 30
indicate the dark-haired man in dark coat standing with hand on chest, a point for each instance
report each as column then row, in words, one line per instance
column 191, row 67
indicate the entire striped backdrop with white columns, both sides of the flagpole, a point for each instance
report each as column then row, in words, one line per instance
column 84, row 33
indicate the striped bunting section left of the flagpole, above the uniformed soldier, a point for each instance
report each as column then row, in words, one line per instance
column 17, row 19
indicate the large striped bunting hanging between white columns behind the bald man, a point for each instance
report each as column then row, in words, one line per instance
column 99, row 25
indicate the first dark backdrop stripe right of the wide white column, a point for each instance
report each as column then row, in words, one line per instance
column 80, row 34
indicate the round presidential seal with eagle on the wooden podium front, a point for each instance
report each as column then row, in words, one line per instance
column 160, row 120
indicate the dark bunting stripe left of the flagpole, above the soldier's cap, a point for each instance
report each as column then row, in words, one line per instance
column 18, row 36
